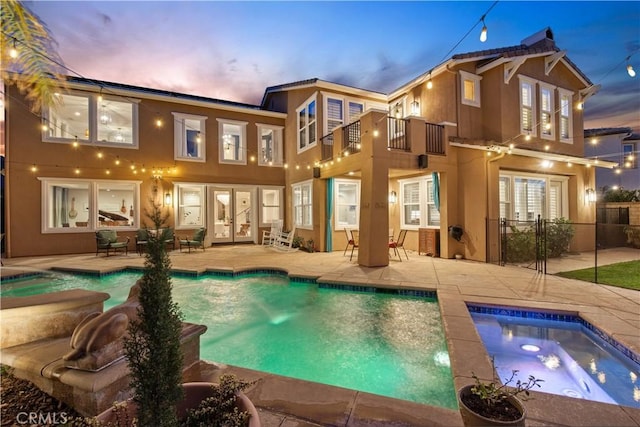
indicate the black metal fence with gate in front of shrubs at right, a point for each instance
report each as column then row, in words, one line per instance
column 555, row 246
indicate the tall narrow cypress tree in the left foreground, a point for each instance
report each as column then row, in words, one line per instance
column 153, row 346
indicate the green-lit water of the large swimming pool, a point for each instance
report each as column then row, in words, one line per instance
column 379, row 343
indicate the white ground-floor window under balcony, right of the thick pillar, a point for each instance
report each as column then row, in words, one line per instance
column 419, row 199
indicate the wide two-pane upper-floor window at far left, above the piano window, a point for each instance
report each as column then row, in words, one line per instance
column 86, row 118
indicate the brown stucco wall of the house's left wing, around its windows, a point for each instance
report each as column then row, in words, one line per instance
column 156, row 150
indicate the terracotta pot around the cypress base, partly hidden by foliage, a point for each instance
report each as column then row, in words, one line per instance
column 194, row 393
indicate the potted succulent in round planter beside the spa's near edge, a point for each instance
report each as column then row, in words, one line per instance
column 495, row 404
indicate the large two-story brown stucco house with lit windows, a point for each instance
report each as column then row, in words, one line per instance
column 484, row 135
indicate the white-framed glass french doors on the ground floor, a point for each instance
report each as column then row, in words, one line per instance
column 233, row 217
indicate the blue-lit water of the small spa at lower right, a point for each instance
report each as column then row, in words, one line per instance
column 559, row 349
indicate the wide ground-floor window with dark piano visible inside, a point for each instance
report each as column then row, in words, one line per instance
column 88, row 205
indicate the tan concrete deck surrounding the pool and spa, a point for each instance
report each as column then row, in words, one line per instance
column 289, row 402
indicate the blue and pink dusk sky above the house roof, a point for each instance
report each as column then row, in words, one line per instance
column 235, row 50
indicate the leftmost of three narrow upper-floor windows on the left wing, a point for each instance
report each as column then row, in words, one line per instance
column 189, row 137
